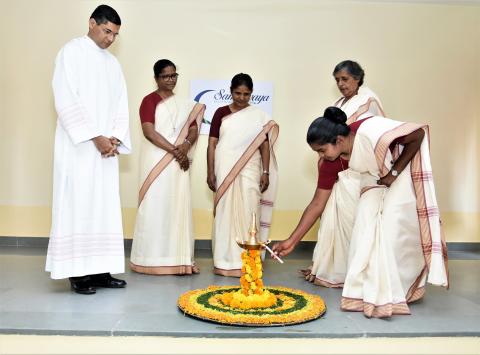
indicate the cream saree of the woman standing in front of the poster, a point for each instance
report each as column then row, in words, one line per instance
column 238, row 168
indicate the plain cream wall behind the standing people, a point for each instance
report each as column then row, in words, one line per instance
column 422, row 60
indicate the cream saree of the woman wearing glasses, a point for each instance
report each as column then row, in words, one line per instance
column 163, row 241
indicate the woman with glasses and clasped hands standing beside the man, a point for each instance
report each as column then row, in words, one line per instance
column 163, row 242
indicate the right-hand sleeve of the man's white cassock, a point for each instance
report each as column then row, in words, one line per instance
column 121, row 129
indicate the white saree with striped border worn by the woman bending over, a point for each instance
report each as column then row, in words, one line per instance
column 396, row 242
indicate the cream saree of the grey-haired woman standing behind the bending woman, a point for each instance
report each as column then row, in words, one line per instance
column 331, row 251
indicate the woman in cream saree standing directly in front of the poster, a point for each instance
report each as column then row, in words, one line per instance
column 242, row 171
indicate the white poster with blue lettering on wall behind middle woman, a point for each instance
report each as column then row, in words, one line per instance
column 216, row 93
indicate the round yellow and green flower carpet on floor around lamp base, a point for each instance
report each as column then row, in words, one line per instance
column 292, row 307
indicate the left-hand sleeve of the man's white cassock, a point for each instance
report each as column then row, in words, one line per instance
column 72, row 114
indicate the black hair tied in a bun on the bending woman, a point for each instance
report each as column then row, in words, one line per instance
column 326, row 129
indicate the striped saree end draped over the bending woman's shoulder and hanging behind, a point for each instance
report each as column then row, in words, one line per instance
column 432, row 237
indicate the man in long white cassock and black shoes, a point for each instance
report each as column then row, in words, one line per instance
column 86, row 239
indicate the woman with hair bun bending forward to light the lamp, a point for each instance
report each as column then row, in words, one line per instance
column 396, row 241
